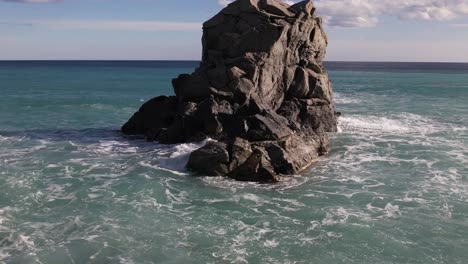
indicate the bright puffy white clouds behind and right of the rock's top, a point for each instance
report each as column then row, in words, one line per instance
column 366, row 13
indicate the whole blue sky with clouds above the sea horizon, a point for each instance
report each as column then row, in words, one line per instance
column 358, row 30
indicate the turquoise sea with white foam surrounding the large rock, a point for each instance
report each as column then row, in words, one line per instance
column 394, row 188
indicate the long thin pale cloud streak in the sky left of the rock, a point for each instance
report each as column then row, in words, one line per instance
column 119, row 25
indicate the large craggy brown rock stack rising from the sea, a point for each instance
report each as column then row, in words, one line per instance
column 260, row 91
